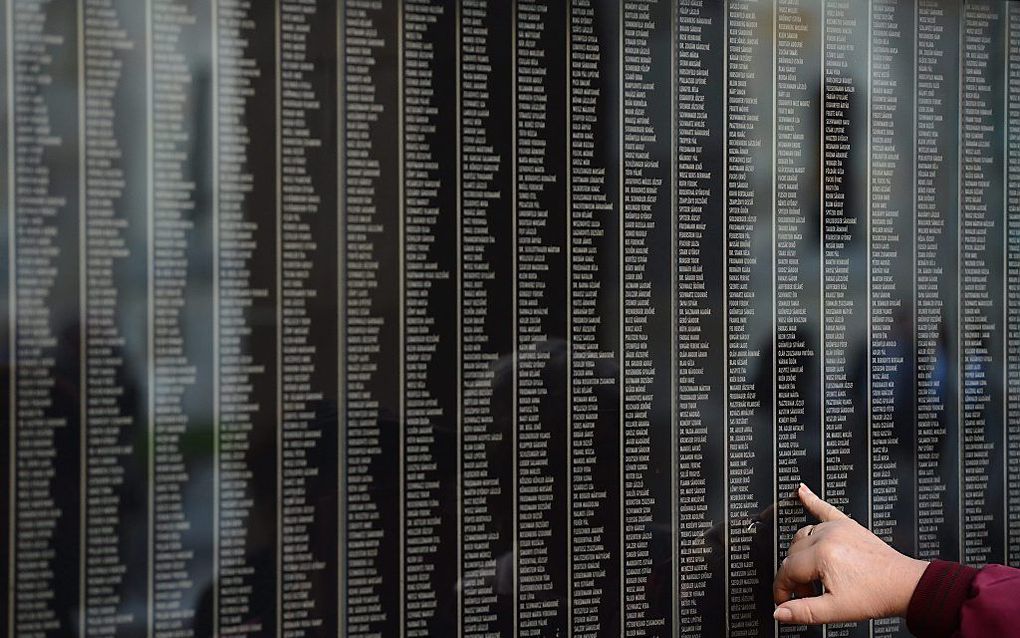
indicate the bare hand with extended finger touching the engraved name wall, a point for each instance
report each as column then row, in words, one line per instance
column 863, row 577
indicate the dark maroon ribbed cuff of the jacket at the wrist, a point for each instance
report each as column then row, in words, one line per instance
column 935, row 608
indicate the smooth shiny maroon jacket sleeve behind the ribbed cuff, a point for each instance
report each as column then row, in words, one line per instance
column 994, row 606
